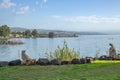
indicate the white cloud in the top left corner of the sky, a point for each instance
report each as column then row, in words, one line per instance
column 7, row 4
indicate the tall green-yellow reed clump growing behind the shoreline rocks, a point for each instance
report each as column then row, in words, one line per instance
column 64, row 53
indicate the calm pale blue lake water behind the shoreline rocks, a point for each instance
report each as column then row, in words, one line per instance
column 86, row 45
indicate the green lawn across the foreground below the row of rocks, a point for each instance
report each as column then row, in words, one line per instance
column 95, row 71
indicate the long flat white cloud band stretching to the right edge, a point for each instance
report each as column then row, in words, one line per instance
column 89, row 19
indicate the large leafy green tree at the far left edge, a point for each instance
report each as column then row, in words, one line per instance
column 4, row 31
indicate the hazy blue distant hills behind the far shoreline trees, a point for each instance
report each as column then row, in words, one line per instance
column 57, row 31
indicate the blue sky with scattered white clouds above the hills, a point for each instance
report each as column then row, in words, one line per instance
column 70, row 15
